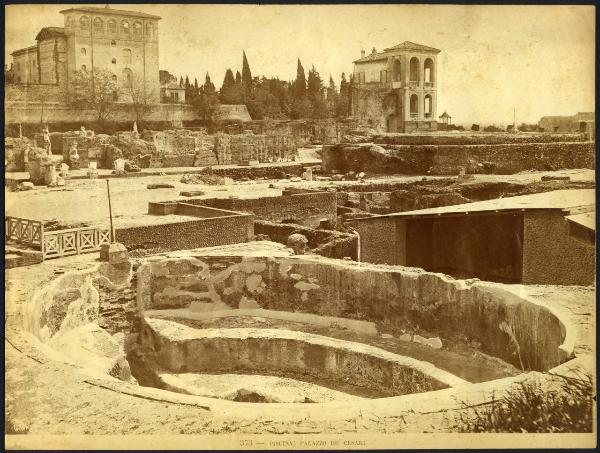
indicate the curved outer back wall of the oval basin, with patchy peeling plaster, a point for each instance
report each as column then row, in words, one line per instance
column 507, row 326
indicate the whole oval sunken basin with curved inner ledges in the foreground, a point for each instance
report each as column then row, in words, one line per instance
column 277, row 364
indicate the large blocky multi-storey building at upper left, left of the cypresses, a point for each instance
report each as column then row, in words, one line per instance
column 125, row 42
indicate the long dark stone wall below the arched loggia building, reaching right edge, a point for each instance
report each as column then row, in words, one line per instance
column 450, row 159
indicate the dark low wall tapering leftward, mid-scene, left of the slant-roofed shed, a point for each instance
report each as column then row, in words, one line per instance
column 305, row 208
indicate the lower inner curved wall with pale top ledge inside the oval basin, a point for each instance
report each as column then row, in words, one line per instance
column 273, row 352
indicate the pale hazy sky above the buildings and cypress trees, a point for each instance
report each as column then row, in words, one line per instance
column 537, row 59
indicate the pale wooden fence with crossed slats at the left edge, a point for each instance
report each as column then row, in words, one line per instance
column 54, row 244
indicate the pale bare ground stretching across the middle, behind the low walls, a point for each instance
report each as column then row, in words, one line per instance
column 86, row 200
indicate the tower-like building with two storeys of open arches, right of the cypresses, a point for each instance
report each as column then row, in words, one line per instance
column 396, row 90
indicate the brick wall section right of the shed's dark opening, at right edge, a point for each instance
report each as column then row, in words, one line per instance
column 551, row 256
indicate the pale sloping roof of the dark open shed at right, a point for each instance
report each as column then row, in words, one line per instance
column 558, row 199
